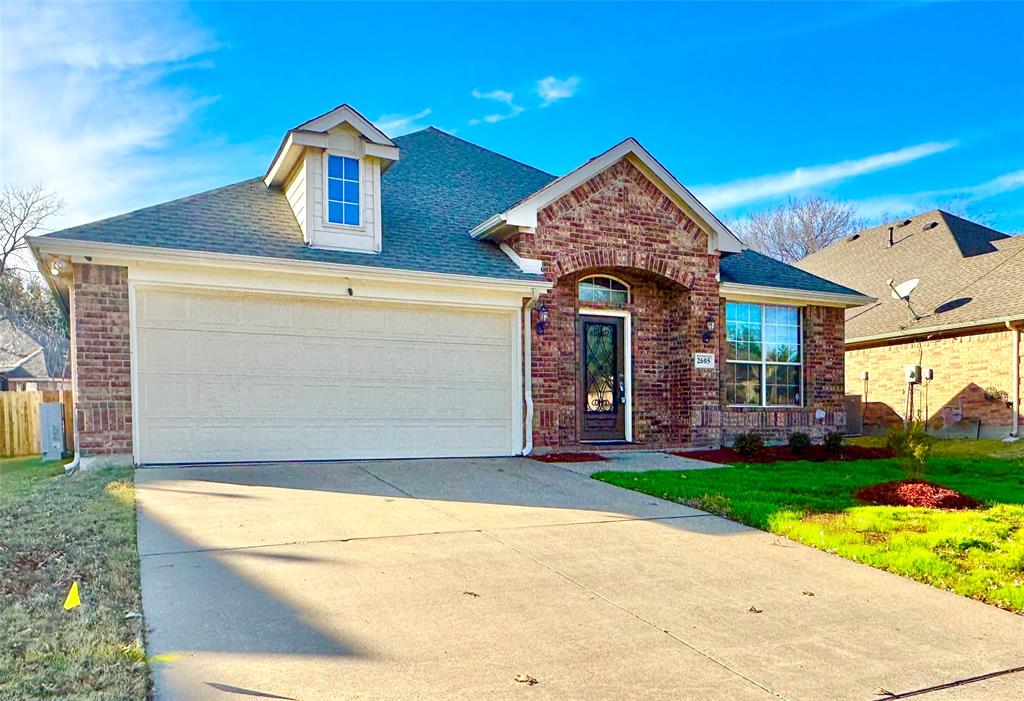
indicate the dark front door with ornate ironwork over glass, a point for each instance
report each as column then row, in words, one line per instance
column 603, row 379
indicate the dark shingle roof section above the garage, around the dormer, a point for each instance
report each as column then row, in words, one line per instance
column 440, row 189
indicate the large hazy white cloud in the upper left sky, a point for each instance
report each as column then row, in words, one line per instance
column 88, row 113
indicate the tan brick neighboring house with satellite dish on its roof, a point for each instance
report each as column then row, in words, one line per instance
column 965, row 322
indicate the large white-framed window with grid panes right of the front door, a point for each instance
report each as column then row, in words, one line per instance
column 763, row 356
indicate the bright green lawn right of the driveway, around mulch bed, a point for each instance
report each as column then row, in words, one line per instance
column 978, row 554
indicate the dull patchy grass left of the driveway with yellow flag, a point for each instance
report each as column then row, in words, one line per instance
column 56, row 531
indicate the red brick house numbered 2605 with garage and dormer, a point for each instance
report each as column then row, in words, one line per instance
column 422, row 296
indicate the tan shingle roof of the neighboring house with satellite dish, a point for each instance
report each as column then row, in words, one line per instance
column 970, row 275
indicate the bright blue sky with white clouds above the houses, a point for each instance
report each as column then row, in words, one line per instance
column 894, row 108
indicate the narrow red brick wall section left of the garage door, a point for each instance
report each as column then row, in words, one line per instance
column 102, row 362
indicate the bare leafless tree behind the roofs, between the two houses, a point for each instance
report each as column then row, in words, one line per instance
column 800, row 228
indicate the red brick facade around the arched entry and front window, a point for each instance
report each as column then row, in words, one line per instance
column 622, row 225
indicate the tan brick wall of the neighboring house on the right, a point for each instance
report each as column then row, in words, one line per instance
column 966, row 367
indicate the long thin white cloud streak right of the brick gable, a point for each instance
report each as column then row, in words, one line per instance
column 767, row 187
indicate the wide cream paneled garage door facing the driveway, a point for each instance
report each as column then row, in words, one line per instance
column 225, row 378
